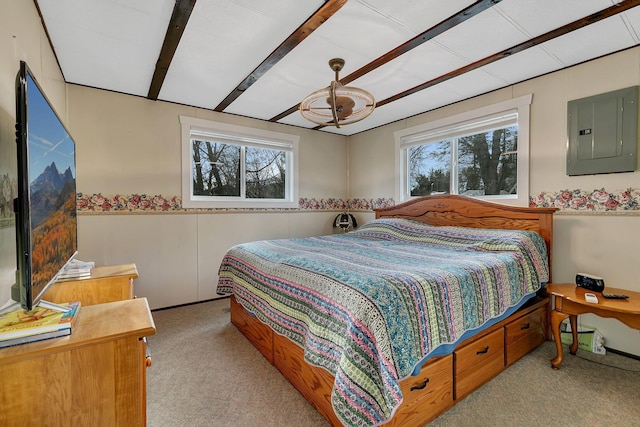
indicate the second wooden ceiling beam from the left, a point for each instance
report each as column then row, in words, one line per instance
column 319, row 17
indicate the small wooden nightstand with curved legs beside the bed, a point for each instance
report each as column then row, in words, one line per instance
column 569, row 301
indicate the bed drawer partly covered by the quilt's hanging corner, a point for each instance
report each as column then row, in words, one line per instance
column 427, row 394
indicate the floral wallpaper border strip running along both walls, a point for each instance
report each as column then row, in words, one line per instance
column 570, row 202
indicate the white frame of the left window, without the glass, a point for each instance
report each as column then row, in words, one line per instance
column 244, row 136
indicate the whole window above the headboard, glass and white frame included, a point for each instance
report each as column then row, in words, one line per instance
column 482, row 153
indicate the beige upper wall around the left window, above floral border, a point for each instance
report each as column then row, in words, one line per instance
column 128, row 144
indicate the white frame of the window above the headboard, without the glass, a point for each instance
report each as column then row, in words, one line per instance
column 455, row 126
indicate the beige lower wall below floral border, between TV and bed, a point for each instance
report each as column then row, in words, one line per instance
column 178, row 255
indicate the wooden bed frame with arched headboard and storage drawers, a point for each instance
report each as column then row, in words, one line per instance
column 443, row 381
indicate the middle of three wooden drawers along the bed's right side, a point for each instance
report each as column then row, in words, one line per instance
column 478, row 361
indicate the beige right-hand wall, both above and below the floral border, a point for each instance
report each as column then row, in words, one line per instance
column 608, row 246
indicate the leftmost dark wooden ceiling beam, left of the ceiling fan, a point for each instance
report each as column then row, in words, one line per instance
column 179, row 18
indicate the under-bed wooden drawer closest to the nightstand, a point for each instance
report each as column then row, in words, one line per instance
column 525, row 333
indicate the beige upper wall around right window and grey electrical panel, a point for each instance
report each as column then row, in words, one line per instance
column 372, row 166
